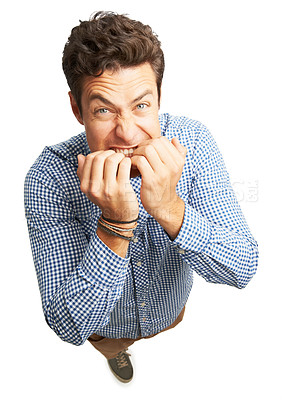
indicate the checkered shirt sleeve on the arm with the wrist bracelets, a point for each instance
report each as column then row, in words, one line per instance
column 80, row 279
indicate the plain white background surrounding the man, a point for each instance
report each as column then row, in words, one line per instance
column 223, row 67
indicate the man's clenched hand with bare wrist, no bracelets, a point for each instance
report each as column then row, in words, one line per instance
column 160, row 163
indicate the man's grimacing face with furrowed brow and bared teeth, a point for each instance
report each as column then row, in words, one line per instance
column 119, row 109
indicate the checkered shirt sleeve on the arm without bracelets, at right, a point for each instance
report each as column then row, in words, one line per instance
column 215, row 239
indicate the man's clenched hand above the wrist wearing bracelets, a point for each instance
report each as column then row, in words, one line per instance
column 105, row 179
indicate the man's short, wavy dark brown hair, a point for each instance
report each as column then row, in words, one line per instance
column 109, row 41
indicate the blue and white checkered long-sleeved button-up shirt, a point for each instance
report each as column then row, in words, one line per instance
column 87, row 288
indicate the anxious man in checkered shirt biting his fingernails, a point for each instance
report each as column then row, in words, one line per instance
column 121, row 215
